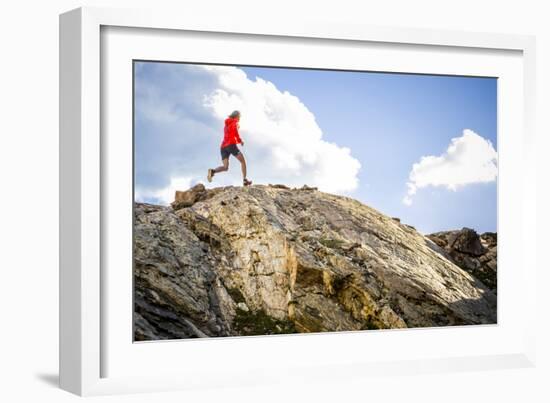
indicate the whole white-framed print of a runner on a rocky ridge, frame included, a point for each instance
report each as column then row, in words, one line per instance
column 265, row 196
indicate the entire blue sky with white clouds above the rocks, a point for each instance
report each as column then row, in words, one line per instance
column 387, row 121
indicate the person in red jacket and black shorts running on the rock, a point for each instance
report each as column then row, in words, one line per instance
column 229, row 147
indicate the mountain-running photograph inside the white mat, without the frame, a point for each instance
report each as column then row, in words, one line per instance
column 281, row 200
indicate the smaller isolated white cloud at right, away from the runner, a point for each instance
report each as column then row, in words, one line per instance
column 469, row 159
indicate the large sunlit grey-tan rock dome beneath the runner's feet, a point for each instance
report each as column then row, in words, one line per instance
column 267, row 260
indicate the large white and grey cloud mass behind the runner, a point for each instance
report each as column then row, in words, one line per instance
column 180, row 111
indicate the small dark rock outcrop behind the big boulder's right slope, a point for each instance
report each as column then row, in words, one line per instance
column 477, row 254
